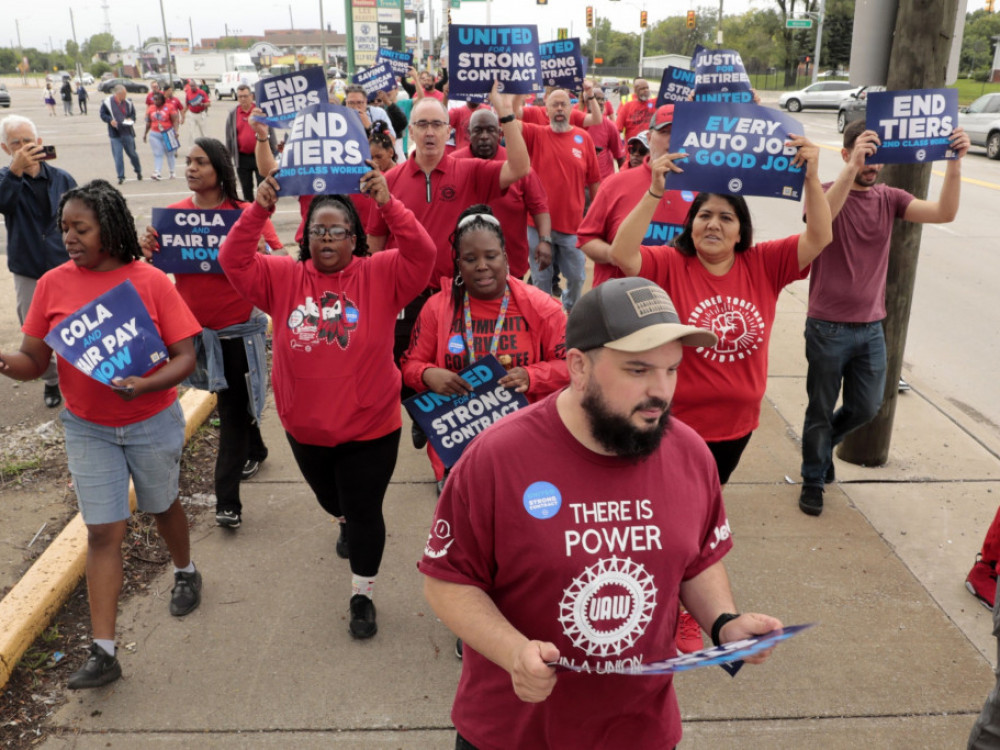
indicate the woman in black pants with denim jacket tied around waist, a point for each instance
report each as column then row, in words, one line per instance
column 231, row 327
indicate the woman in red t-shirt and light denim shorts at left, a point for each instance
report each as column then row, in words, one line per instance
column 135, row 430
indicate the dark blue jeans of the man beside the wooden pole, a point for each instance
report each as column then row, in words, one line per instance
column 848, row 353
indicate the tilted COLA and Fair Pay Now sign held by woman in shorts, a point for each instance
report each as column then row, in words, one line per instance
column 110, row 337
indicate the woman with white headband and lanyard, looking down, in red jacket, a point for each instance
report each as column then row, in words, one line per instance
column 520, row 325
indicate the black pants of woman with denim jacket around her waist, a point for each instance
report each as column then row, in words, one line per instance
column 239, row 433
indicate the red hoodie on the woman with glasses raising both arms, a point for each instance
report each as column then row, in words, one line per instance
column 333, row 376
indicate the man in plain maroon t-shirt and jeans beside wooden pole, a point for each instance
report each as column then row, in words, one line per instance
column 845, row 342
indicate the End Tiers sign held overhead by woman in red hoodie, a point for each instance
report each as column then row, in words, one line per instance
column 325, row 153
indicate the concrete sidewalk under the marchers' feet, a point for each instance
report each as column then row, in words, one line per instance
column 896, row 662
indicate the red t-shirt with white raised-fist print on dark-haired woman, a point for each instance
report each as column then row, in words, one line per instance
column 719, row 390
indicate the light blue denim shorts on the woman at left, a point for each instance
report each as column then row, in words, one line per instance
column 101, row 460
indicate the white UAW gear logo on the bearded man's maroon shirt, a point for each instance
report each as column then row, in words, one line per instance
column 608, row 607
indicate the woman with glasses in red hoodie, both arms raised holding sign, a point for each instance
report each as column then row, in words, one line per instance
column 335, row 384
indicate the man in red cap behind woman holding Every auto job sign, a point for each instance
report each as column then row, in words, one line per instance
column 618, row 196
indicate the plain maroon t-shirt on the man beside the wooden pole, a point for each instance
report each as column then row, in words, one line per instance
column 848, row 277
